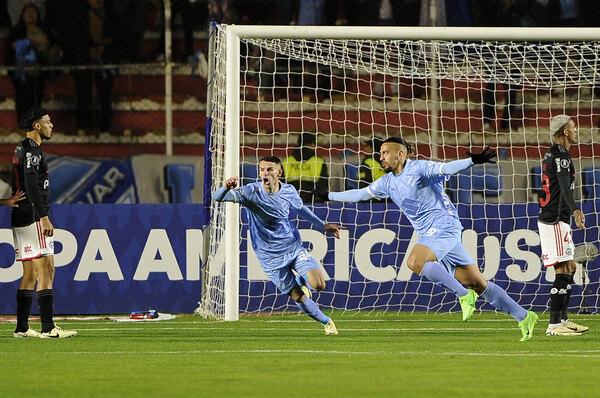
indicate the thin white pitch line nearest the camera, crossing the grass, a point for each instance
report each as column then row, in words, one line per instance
column 571, row 354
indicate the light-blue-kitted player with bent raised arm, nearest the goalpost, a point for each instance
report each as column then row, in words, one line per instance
column 275, row 240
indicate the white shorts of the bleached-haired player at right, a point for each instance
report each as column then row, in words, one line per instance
column 557, row 243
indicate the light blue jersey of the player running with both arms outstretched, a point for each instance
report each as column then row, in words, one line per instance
column 419, row 192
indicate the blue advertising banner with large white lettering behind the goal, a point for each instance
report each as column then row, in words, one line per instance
column 121, row 258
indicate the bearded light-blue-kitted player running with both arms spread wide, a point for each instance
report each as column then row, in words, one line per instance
column 417, row 188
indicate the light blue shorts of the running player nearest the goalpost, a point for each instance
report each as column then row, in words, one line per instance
column 283, row 277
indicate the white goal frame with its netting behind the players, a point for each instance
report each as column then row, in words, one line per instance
column 446, row 91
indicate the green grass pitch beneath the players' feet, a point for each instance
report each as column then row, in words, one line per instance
column 378, row 355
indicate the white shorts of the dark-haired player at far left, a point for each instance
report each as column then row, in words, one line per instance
column 31, row 243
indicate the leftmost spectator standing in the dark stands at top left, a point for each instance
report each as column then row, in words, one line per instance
column 29, row 45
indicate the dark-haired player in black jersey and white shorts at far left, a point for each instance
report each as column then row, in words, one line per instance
column 32, row 229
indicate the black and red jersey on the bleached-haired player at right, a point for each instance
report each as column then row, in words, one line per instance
column 558, row 185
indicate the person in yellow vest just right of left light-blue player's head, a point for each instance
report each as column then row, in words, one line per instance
column 304, row 169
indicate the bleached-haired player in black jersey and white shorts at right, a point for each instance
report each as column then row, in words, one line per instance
column 556, row 207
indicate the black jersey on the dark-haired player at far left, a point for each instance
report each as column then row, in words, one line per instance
column 30, row 175
